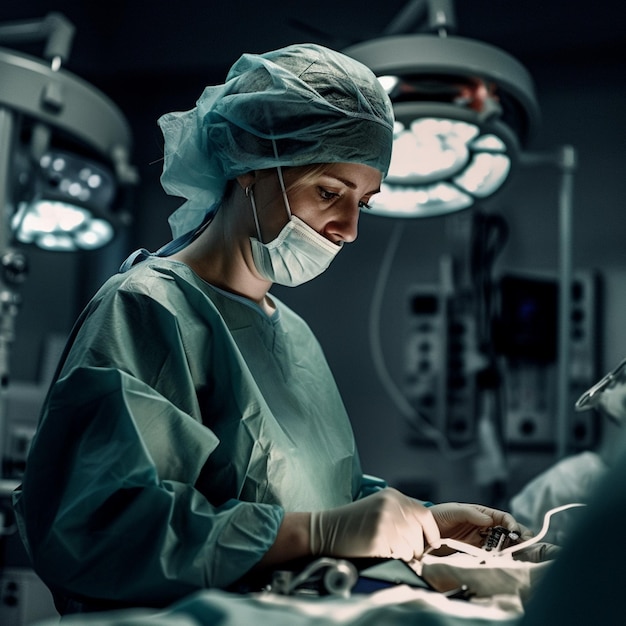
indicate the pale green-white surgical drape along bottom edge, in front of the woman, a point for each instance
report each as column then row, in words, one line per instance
column 401, row 605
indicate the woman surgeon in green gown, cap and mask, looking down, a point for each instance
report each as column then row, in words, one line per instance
column 194, row 433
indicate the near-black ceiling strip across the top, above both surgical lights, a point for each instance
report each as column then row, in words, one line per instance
column 157, row 37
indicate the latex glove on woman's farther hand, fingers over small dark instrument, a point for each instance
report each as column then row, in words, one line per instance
column 468, row 522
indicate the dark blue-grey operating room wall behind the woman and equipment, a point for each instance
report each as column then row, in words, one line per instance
column 585, row 113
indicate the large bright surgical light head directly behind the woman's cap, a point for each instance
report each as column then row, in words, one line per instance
column 464, row 110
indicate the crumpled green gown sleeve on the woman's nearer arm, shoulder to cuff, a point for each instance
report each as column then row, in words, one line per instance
column 111, row 473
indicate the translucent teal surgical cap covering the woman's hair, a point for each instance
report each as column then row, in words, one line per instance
column 299, row 105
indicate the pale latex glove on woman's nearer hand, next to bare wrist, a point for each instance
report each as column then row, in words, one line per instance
column 385, row 524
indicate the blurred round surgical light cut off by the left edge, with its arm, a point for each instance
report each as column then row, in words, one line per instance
column 65, row 147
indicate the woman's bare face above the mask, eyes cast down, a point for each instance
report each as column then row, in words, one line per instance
column 329, row 199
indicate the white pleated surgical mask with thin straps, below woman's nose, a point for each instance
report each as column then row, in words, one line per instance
column 297, row 255
